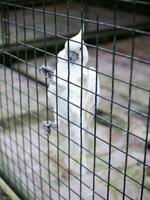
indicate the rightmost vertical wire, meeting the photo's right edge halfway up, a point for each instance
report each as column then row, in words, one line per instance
column 145, row 148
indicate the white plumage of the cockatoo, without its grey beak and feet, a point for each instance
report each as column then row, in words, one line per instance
column 68, row 71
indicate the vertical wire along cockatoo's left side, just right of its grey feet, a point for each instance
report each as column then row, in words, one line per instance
column 58, row 157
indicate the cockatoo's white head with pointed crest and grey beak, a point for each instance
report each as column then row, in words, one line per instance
column 76, row 51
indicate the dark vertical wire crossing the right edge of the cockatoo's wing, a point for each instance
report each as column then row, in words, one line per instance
column 95, row 117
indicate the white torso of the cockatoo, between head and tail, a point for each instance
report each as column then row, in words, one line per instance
column 72, row 92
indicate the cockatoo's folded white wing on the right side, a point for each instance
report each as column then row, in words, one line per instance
column 91, row 88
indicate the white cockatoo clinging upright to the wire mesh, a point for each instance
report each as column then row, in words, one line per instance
column 72, row 95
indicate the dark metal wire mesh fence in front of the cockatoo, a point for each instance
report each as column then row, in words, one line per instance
column 11, row 170
